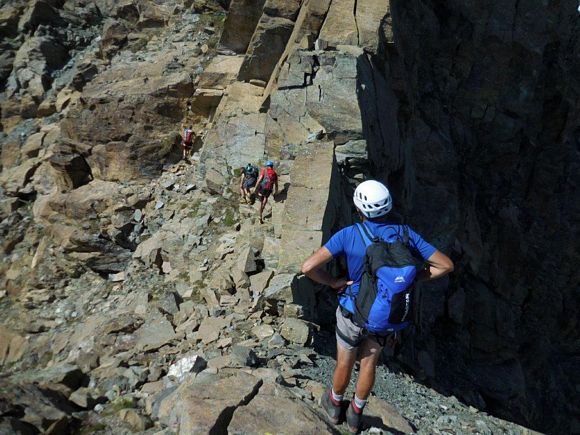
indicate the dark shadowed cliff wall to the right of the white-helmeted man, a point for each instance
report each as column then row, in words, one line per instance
column 484, row 160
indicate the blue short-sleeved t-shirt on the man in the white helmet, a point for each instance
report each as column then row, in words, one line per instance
column 349, row 242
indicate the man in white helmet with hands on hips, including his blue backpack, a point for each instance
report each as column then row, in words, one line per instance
column 381, row 258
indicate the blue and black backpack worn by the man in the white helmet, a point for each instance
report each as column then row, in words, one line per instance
column 383, row 302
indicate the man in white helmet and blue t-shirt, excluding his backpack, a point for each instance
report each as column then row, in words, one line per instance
column 373, row 202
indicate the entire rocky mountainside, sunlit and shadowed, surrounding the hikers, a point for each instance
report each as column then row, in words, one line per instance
column 136, row 287
